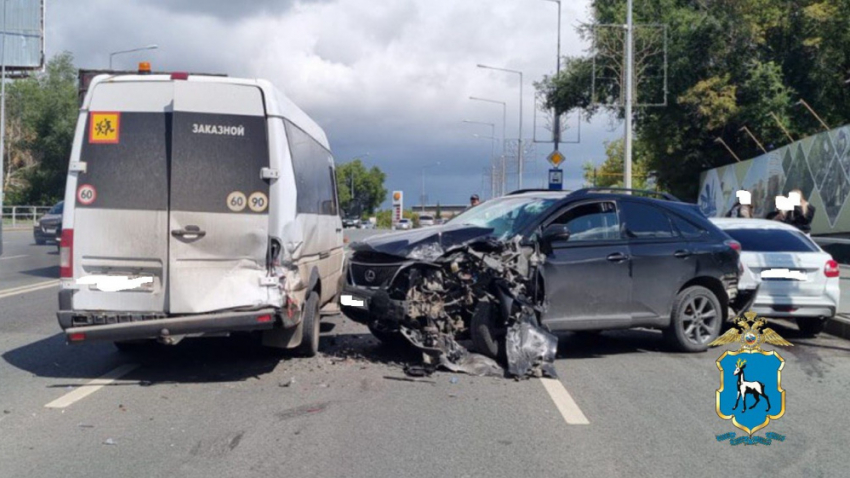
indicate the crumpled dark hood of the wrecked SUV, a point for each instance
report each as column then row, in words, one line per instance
column 426, row 243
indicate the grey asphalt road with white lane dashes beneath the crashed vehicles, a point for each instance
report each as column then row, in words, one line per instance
column 222, row 407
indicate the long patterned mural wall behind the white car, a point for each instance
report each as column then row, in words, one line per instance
column 818, row 165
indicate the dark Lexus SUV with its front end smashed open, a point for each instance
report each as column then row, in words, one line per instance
column 510, row 271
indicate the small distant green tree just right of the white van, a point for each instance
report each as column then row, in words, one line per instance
column 368, row 186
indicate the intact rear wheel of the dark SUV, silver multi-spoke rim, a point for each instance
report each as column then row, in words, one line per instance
column 696, row 320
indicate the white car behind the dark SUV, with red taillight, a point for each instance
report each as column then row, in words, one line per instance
column 796, row 278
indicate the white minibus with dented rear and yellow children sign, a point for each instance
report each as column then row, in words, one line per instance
column 197, row 205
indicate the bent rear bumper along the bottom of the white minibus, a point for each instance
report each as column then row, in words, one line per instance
column 122, row 326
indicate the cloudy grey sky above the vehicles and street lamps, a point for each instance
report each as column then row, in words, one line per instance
column 391, row 78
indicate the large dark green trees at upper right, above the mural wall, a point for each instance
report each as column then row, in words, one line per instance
column 731, row 63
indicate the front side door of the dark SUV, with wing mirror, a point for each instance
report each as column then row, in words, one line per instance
column 587, row 276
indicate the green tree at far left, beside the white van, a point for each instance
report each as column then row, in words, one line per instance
column 43, row 111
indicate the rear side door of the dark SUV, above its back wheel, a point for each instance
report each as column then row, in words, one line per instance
column 662, row 260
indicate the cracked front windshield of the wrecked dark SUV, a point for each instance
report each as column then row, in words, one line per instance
column 506, row 216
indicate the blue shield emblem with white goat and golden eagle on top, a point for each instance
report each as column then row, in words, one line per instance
column 750, row 392
